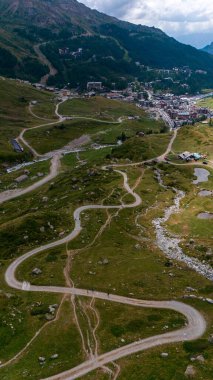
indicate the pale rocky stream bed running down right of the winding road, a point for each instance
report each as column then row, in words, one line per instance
column 169, row 244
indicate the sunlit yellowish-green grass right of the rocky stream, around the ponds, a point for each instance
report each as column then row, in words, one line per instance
column 186, row 222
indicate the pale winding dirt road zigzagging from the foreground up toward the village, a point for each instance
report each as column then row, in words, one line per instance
column 194, row 328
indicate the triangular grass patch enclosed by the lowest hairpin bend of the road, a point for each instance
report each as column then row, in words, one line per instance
column 122, row 324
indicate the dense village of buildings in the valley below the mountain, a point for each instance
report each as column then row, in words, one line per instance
column 175, row 110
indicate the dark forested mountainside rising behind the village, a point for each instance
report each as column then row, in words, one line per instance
column 111, row 47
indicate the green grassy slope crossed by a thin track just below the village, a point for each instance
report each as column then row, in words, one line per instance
column 54, row 137
